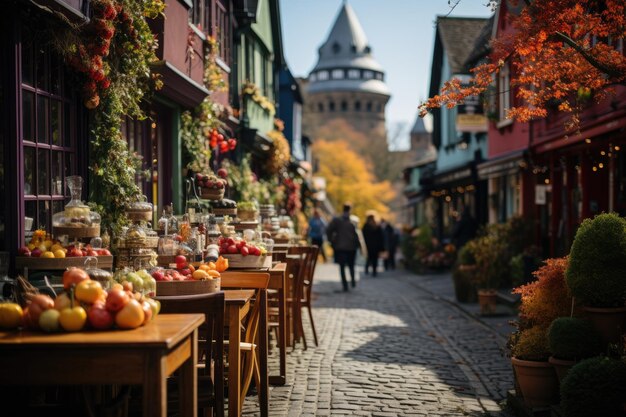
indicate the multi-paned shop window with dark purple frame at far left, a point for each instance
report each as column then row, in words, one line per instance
column 48, row 131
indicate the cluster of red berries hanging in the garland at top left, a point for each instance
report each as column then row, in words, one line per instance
column 89, row 58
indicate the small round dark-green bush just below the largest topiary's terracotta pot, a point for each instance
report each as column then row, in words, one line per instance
column 571, row 339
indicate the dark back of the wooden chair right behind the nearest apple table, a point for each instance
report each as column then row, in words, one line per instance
column 212, row 340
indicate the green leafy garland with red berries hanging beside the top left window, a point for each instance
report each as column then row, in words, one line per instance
column 111, row 57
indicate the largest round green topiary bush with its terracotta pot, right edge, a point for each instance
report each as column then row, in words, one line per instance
column 597, row 273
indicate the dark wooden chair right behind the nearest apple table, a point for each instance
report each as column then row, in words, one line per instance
column 210, row 345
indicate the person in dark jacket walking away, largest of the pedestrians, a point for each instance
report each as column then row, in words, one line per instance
column 342, row 235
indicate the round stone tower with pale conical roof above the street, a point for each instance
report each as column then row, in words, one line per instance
column 347, row 82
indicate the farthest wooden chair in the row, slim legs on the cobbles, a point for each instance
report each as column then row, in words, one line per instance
column 302, row 287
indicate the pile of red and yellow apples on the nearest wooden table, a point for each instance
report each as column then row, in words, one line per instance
column 83, row 305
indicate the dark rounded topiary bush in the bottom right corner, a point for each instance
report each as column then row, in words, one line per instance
column 594, row 387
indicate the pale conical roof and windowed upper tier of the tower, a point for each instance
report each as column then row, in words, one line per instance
column 346, row 61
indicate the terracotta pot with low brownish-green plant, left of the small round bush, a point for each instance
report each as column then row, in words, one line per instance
column 534, row 374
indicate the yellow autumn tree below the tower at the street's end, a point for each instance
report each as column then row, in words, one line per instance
column 348, row 178
